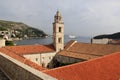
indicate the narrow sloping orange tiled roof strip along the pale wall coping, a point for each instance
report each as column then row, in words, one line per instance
column 21, row 59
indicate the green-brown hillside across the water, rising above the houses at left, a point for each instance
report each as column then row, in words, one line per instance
column 20, row 29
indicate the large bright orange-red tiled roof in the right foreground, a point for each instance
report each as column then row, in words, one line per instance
column 104, row 68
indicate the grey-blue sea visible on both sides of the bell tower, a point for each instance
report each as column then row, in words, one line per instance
column 49, row 40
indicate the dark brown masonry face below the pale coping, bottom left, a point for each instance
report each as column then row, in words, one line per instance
column 15, row 72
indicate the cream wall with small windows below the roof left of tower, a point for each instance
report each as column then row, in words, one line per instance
column 41, row 58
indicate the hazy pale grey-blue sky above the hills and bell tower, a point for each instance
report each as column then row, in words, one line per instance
column 81, row 17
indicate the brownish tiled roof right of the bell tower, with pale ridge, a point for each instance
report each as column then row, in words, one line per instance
column 88, row 51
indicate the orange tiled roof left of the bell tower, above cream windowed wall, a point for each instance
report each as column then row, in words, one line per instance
column 30, row 49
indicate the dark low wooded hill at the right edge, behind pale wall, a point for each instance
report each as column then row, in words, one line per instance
column 110, row 36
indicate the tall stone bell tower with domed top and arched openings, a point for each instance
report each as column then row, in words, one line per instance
column 58, row 32
